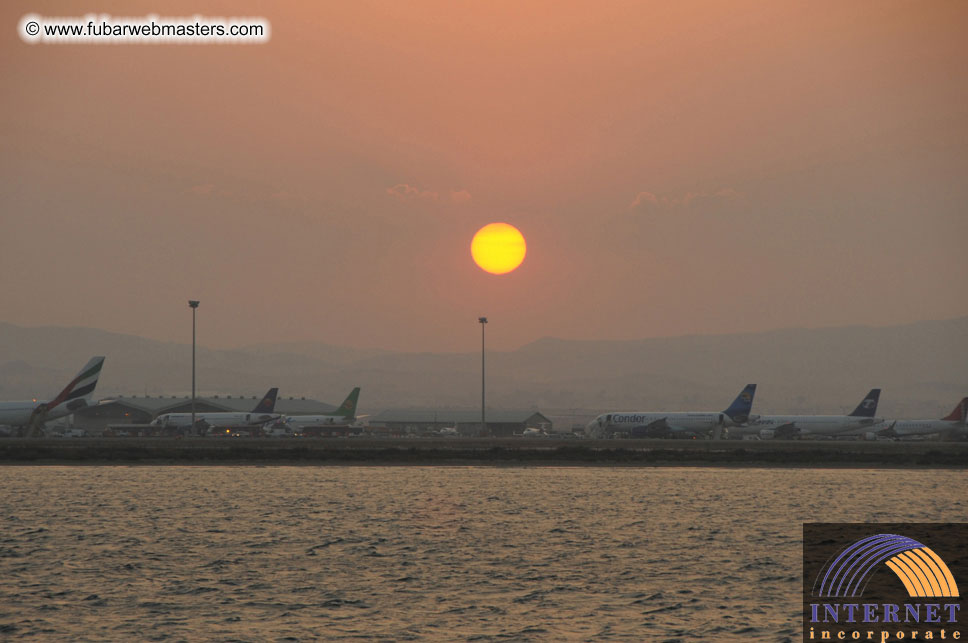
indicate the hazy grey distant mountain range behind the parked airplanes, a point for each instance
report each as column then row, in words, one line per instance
column 920, row 366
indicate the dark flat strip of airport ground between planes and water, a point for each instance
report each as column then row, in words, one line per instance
column 485, row 451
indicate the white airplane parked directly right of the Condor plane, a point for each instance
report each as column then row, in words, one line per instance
column 793, row 426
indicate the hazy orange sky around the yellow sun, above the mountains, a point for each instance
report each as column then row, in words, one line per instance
column 696, row 167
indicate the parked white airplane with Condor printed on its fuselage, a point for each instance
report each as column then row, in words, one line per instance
column 658, row 425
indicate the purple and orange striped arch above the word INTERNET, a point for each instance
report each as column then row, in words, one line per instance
column 922, row 571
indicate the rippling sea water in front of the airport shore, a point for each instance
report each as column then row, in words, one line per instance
column 427, row 553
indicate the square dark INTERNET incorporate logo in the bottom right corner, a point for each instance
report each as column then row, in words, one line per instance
column 878, row 582
